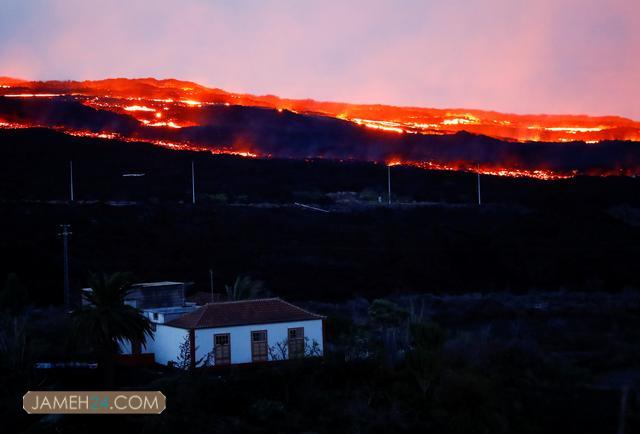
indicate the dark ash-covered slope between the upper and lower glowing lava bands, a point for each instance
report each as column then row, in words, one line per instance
column 286, row 134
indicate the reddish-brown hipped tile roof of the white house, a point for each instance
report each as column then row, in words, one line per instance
column 245, row 312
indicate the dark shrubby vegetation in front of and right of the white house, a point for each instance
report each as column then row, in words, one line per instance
column 454, row 364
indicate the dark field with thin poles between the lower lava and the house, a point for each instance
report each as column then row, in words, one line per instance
column 581, row 234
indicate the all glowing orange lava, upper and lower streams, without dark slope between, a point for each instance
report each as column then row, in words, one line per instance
column 167, row 108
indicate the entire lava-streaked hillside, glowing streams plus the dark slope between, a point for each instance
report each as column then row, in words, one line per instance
column 186, row 116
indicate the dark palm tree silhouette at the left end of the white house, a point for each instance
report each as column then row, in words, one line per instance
column 106, row 321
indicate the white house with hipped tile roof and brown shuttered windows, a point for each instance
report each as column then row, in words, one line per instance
column 238, row 332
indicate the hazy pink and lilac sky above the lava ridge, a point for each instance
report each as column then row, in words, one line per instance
column 525, row 56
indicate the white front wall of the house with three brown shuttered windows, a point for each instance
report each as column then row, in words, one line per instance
column 240, row 337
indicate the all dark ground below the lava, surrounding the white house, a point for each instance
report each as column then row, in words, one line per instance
column 531, row 324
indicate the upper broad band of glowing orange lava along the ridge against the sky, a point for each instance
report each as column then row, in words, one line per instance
column 174, row 94
